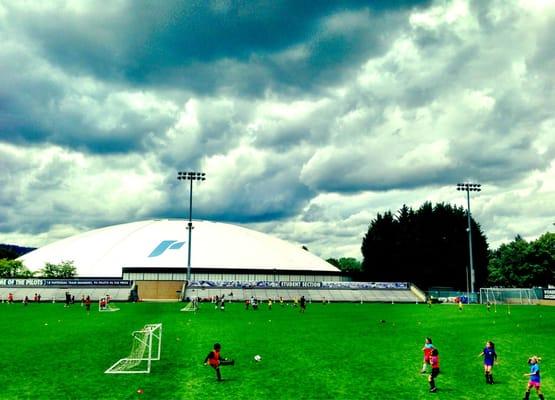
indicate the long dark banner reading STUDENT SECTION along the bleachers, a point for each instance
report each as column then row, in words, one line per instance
column 299, row 284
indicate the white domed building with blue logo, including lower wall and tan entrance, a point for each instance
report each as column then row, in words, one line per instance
column 155, row 251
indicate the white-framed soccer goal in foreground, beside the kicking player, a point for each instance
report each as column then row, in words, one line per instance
column 146, row 347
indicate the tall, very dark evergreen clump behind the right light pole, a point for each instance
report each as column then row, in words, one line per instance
column 428, row 247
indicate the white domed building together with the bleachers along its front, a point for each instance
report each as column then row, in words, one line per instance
column 153, row 255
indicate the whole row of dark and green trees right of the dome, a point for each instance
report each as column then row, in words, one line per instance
column 429, row 247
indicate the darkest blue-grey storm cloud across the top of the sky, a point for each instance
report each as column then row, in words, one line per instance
column 152, row 43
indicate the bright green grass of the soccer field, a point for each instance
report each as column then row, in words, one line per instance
column 336, row 351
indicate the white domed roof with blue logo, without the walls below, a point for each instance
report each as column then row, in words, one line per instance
column 163, row 244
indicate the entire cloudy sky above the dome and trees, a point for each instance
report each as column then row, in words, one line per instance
column 308, row 117
